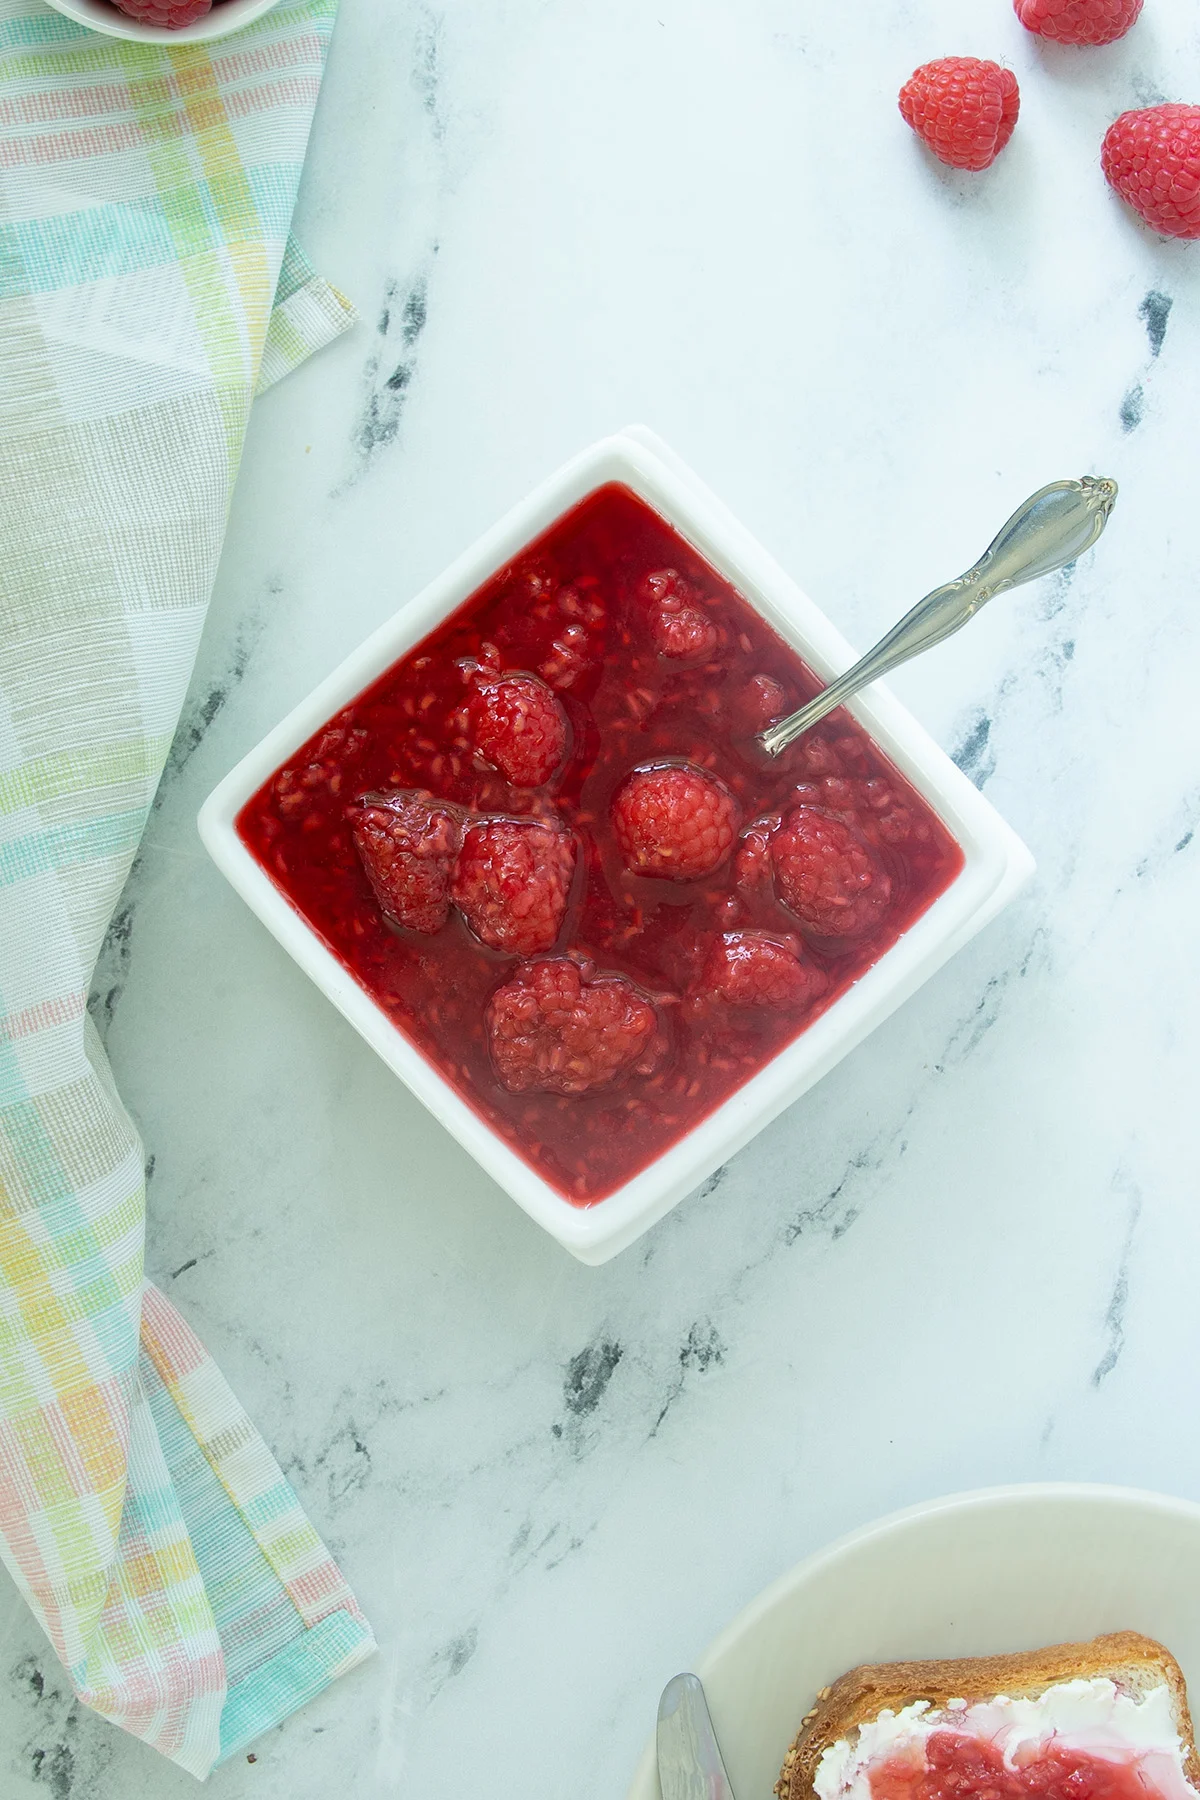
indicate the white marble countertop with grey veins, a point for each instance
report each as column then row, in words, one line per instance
column 969, row 1255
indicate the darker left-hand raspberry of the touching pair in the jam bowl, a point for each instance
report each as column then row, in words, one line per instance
column 407, row 845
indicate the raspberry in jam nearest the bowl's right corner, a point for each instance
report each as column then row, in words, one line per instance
column 827, row 876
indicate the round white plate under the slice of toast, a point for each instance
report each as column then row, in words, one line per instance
column 1008, row 1569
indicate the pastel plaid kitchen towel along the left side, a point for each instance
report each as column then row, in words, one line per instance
column 147, row 291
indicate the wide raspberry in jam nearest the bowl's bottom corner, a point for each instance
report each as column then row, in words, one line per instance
column 559, row 1030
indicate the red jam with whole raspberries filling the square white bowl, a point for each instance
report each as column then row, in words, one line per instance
column 733, row 897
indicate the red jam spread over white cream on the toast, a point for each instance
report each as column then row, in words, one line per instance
column 969, row 1768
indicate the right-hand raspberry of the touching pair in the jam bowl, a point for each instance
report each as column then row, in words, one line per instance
column 512, row 883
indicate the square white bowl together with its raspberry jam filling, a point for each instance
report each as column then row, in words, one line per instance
column 528, row 843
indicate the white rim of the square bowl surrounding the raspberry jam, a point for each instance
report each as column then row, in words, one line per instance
column 996, row 861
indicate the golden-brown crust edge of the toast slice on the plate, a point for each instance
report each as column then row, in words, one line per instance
column 1134, row 1662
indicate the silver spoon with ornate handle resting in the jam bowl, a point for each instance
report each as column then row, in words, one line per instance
column 1053, row 528
